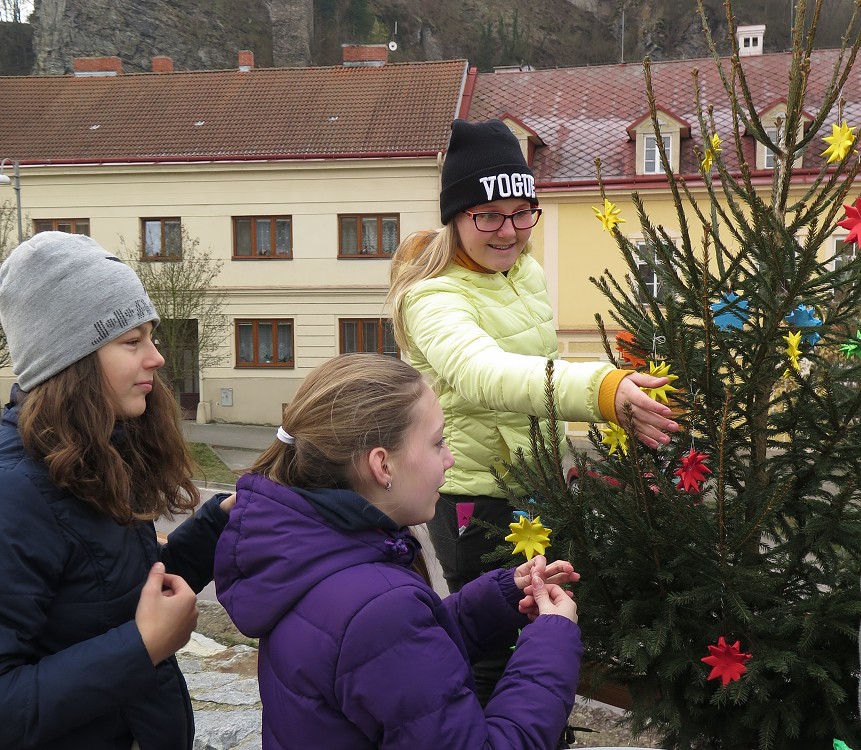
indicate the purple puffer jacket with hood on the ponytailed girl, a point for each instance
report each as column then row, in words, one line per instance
column 357, row 651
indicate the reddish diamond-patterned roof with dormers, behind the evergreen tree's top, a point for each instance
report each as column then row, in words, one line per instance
column 582, row 113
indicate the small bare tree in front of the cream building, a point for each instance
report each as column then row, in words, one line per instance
column 193, row 325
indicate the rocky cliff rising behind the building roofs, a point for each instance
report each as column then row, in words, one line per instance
column 207, row 34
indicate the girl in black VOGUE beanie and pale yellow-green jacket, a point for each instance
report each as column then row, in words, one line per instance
column 471, row 312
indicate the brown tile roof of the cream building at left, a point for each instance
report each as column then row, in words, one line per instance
column 283, row 113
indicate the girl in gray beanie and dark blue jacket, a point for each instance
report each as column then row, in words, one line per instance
column 92, row 607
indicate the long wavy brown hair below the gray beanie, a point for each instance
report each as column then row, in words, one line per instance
column 133, row 469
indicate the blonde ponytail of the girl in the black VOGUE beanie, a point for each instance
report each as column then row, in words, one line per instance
column 422, row 255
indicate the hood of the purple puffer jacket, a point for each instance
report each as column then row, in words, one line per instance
column 280, row 542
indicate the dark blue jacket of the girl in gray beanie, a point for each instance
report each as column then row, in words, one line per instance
column 74, row 672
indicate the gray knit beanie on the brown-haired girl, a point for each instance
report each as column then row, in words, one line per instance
column 62, row 297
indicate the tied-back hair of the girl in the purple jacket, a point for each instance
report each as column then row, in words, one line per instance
column 348, row 406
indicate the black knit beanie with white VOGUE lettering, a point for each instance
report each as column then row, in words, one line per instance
column 483, row 163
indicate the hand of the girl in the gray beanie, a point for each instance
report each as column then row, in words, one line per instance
column 166, row 613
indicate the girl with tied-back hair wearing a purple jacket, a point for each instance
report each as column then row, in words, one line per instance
column 356, row 649
